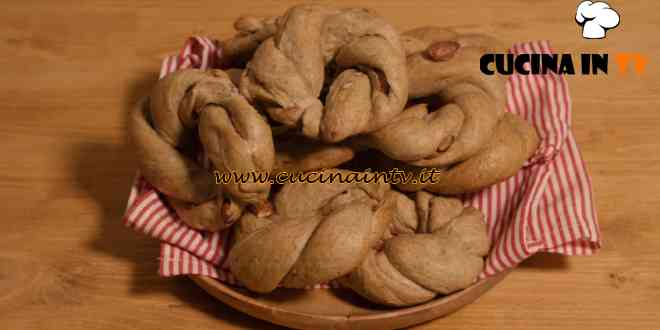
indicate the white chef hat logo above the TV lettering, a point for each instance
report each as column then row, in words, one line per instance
column 596, row 18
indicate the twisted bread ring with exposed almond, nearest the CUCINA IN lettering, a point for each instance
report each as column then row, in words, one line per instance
column 443, row 66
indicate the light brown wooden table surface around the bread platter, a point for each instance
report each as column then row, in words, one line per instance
column 70, row 70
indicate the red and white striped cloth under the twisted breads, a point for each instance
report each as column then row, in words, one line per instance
column 547, row 206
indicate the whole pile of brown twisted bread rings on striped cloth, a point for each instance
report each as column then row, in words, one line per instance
column 319, row 88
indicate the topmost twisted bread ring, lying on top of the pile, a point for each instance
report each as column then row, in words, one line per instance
column 287, row 72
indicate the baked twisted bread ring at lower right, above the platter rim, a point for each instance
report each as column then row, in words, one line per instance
column 443, row 254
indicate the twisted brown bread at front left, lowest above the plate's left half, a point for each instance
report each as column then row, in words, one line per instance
column 318, row 232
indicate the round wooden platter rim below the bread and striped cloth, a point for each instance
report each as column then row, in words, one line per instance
column 337, row 308
